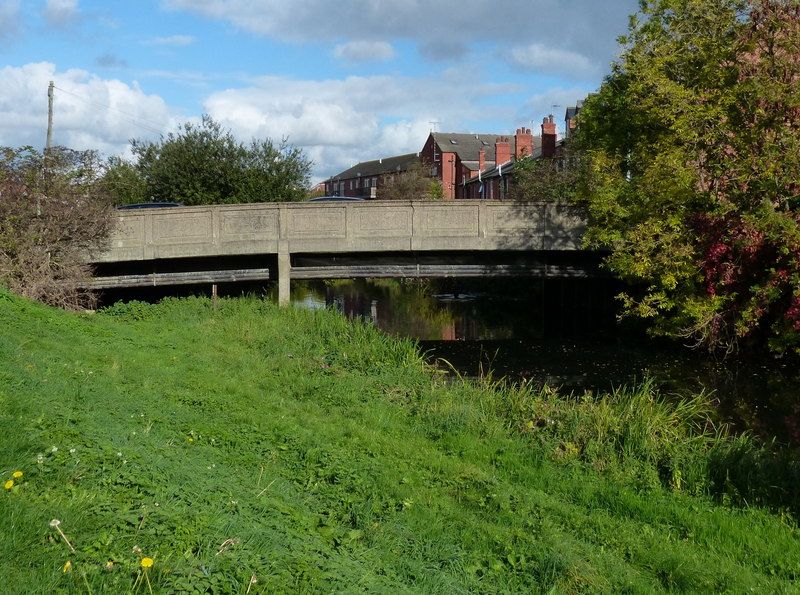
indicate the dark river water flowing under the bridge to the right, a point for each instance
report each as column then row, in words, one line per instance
column 563, row 333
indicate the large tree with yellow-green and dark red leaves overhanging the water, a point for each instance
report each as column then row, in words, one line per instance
column 693, row 143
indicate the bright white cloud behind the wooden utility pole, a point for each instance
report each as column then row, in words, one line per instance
column 89, row 112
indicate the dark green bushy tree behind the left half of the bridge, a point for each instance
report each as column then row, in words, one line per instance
column 204, row 164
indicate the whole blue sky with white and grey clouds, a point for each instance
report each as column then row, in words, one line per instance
column 346, row 80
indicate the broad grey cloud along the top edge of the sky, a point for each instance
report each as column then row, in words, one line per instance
column 443, row 29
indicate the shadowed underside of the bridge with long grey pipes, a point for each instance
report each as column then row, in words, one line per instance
column 227, row 269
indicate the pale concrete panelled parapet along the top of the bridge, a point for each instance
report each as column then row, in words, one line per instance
column 374, row 226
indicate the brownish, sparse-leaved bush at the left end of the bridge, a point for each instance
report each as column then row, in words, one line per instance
column 53, row 216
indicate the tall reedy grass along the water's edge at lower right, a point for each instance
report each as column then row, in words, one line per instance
column 650, row 440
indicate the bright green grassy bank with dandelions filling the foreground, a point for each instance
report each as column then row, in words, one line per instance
column 319, row 455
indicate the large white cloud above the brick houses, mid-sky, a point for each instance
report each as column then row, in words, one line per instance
column 340, row 122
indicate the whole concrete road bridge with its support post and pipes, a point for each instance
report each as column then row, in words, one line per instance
column 248, row 242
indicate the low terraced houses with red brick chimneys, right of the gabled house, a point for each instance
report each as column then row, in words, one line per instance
column 494, row 182
